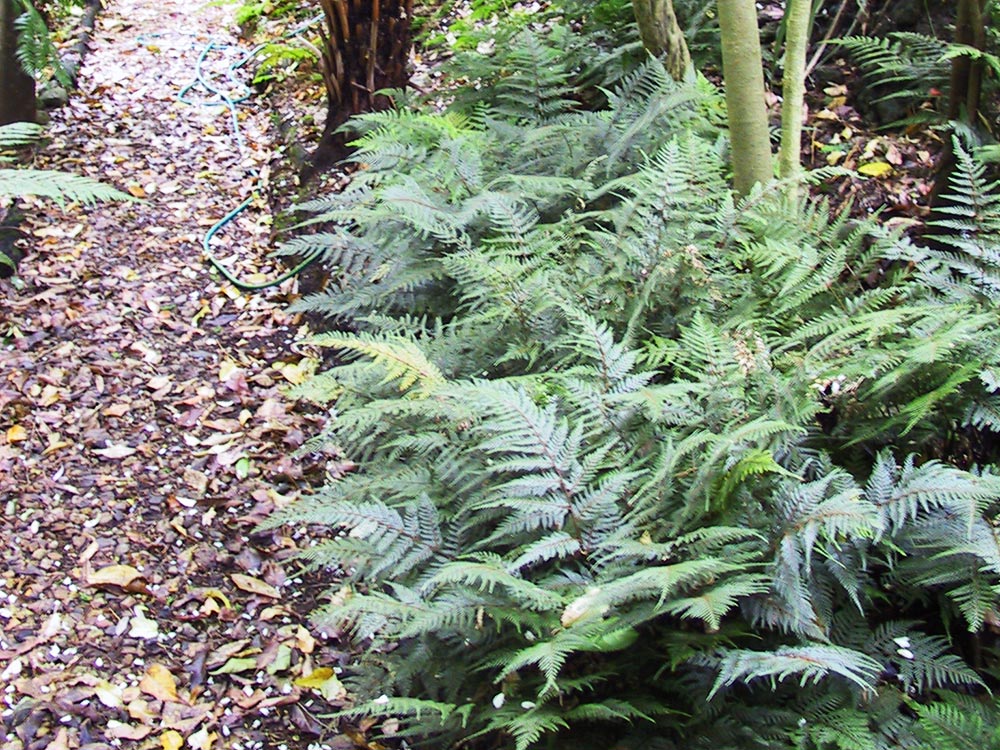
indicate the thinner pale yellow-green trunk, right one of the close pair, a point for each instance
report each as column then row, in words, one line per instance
column 797, row 29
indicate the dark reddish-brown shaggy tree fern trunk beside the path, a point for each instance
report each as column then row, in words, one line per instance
column 366, row 47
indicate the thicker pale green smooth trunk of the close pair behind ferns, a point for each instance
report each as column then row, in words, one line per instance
column 745, row 101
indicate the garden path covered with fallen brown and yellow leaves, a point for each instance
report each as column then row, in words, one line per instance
column 143, row 426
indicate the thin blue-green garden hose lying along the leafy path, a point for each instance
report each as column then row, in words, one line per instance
column 202, row 80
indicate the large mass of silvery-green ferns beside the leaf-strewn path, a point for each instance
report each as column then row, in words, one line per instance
column 639, row 464
